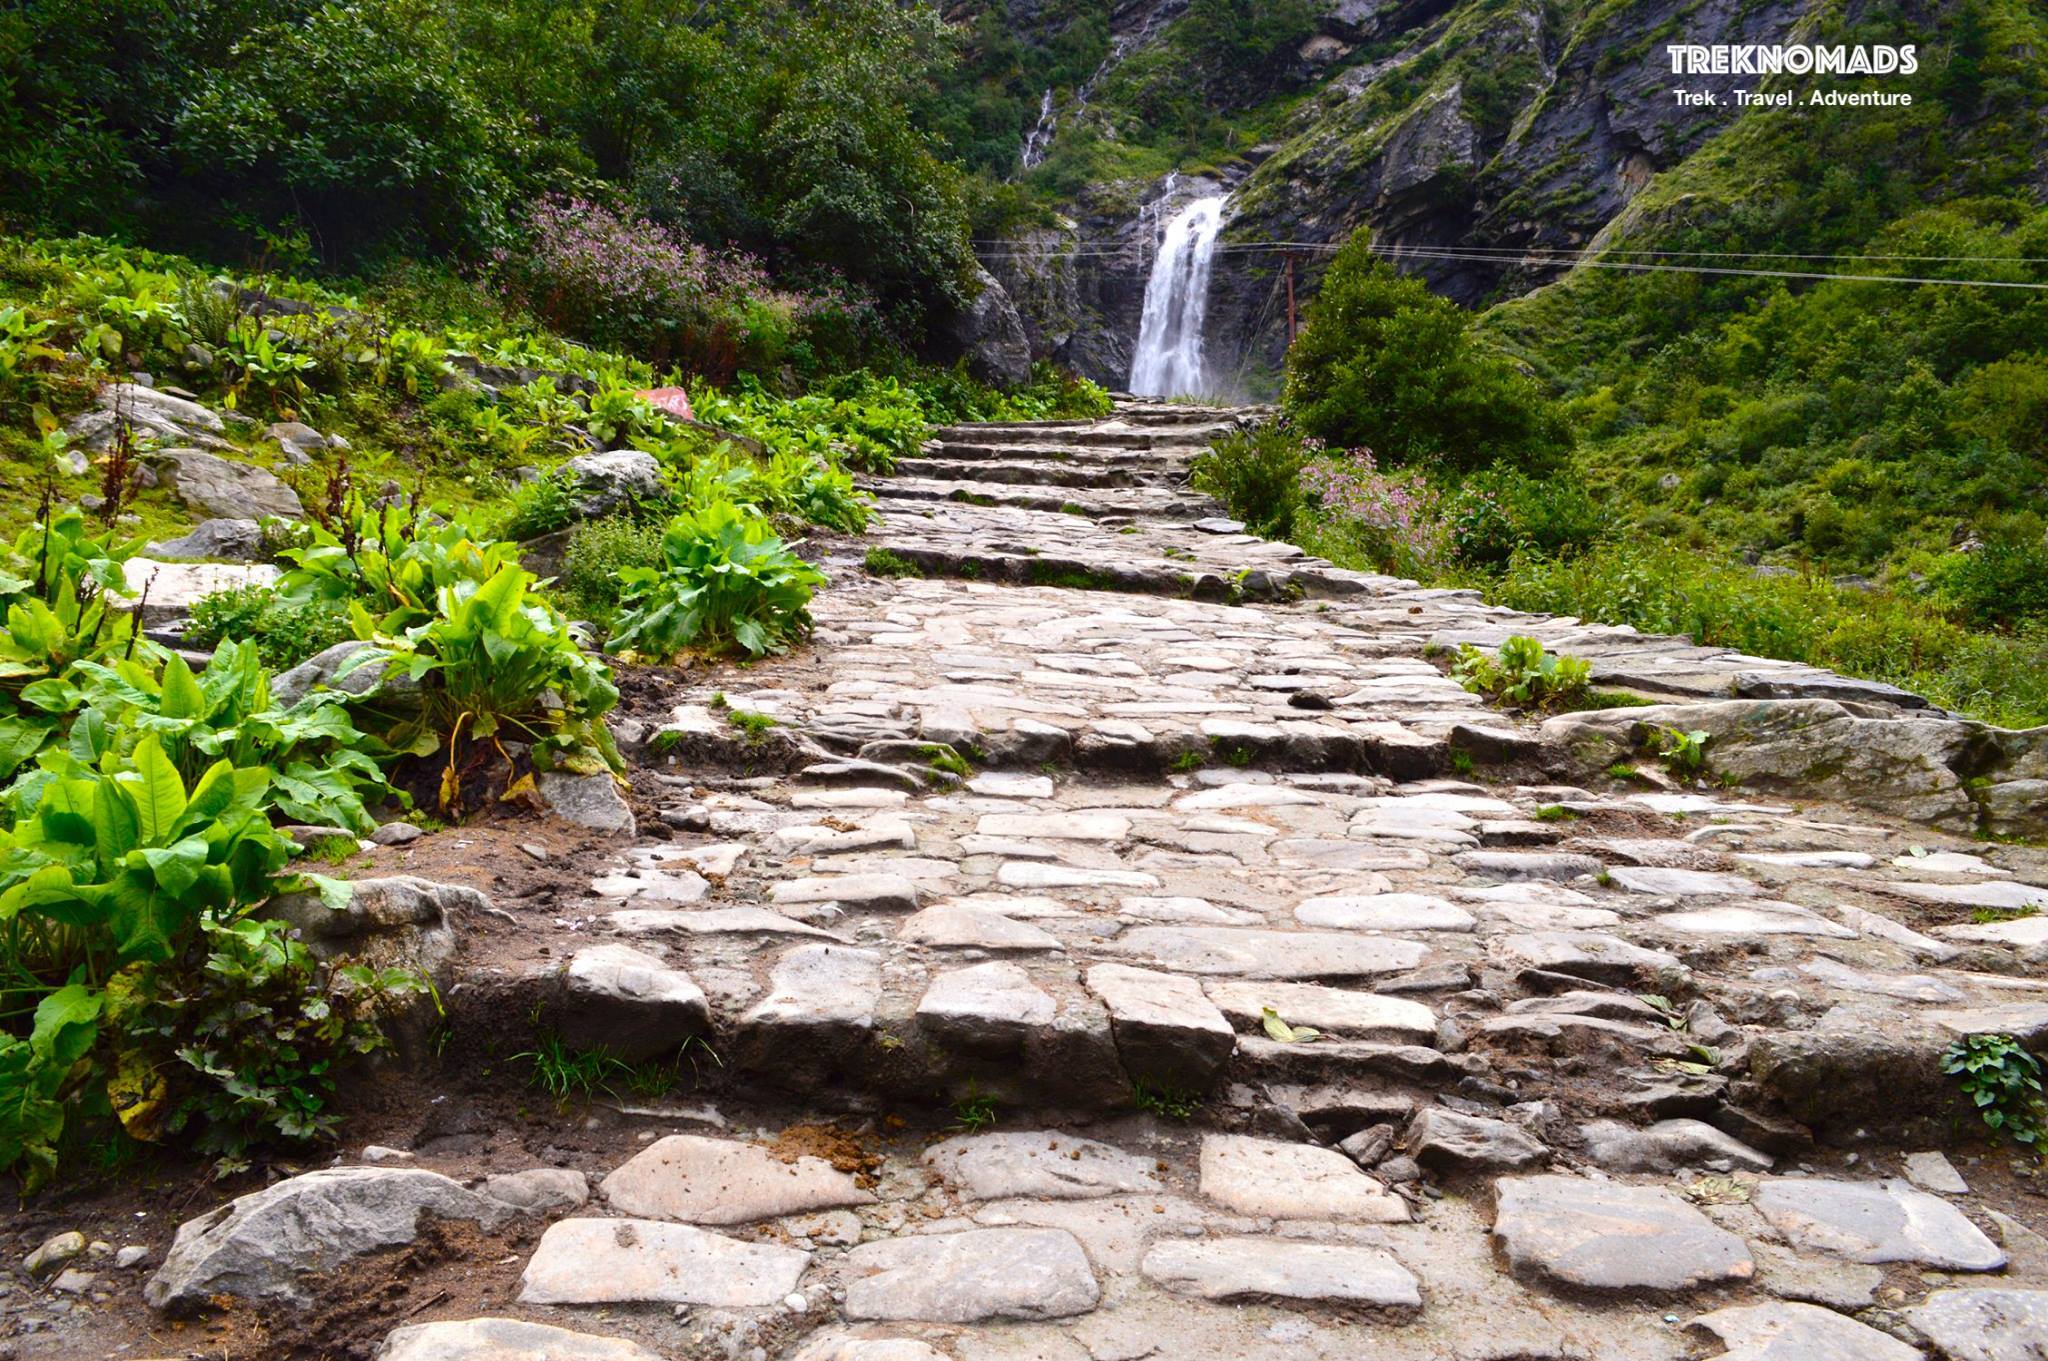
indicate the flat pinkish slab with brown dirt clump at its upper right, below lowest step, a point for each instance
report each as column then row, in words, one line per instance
column 724, row 1182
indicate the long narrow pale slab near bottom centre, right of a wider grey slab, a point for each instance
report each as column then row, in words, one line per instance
column 1281, row 1270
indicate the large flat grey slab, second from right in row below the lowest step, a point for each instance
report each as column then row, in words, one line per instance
column 1607, row 1237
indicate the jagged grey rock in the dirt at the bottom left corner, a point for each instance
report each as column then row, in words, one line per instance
column 265, row 1245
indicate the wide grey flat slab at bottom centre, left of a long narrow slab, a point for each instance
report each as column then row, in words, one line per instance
column 968, row 1278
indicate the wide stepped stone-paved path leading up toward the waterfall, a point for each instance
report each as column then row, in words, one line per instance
column 1576, row 1037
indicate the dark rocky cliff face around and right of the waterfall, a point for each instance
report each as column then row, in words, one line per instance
column 1439, row 126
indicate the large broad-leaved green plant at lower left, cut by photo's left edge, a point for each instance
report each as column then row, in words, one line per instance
column 134, row 981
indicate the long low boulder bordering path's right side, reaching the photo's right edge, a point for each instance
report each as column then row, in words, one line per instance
column 1945, row 773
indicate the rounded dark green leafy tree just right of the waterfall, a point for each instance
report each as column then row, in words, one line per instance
column 1388, row 365
